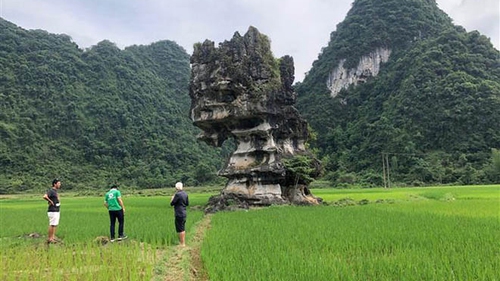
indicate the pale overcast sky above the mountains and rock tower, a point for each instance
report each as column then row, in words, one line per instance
column 299, row 28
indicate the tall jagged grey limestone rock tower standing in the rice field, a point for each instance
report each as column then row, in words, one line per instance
column 239, row 90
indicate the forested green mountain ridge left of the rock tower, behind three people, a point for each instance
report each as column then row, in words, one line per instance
column 95, row 116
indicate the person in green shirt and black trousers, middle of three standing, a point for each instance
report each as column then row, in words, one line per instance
column 114, row 203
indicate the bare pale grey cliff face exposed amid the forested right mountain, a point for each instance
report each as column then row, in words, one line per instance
column 369, row 66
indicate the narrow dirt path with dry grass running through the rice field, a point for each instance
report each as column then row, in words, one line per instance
column 185, row 262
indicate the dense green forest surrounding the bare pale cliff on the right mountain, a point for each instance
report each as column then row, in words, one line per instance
column 432, row 111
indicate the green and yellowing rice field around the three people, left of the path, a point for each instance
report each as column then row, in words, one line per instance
column 84, row 222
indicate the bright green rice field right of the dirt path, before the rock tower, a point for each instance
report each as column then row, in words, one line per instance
column 450, row 233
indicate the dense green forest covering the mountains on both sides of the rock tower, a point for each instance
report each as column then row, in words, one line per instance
column 106, row 115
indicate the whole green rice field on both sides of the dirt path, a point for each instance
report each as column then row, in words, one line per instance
column 434, row 233
